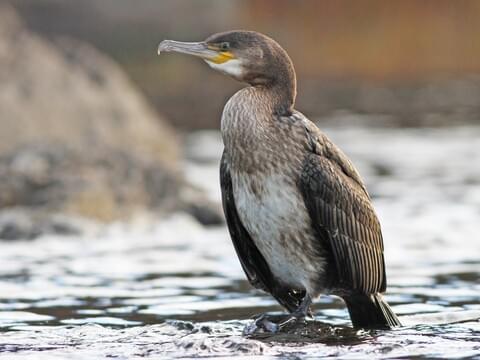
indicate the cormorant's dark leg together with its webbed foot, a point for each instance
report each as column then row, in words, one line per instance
column 264, row 322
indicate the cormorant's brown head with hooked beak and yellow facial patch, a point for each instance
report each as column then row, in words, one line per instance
column 247, row 56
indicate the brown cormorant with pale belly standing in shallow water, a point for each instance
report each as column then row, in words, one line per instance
column 298, row 213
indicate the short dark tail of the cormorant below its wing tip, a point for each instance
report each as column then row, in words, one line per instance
column 370, row 311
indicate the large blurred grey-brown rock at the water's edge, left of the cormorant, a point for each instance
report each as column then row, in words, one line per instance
column 76, row 137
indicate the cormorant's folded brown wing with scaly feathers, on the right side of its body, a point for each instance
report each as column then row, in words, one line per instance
column 343, row 217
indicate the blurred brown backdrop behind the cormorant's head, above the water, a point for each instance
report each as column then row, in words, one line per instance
column 413, row 62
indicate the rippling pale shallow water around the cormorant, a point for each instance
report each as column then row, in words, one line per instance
column 173, row 288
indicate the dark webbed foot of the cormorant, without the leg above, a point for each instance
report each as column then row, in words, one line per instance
column 272, row 323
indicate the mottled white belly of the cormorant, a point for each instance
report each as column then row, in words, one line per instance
column 277, row 220
